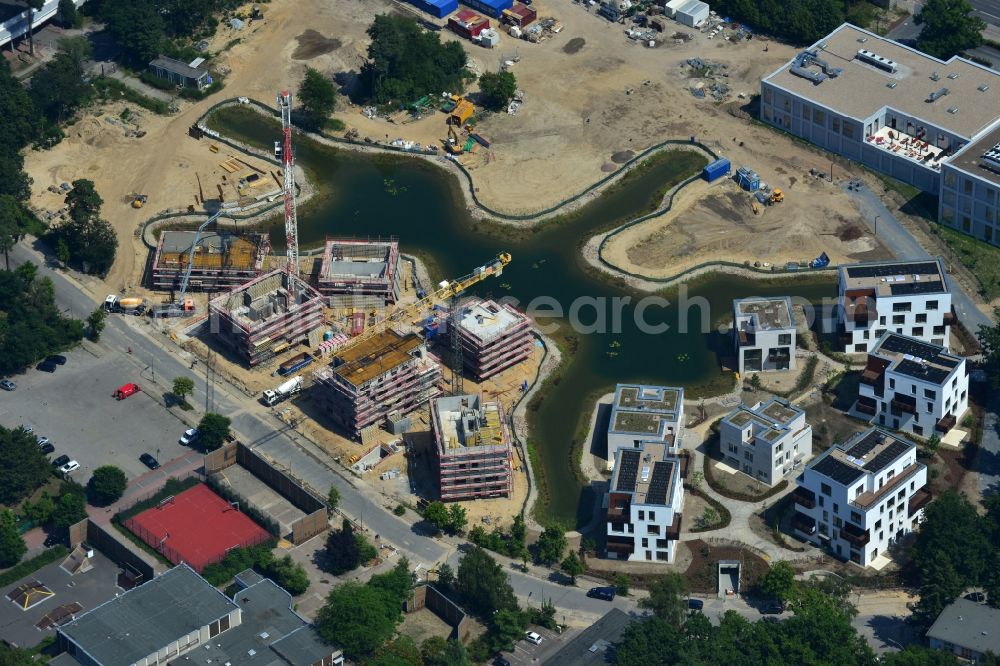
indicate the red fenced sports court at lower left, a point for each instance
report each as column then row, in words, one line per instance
column 197, row 527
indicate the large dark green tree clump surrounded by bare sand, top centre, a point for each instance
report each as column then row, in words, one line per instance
column 406, row 62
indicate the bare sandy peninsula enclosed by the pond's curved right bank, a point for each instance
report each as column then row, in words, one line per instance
column 718, row 222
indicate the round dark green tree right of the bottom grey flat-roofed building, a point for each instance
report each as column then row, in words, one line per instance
column 358, row 618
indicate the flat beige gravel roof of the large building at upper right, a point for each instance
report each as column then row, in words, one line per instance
column 861, row 90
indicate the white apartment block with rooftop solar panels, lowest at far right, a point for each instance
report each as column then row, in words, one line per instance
column 857, row 498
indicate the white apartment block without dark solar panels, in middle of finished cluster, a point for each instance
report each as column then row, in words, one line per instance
column 766, row 441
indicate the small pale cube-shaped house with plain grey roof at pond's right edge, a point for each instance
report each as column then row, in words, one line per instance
column 764, row 334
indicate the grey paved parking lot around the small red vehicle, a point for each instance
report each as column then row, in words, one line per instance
column 75, row 409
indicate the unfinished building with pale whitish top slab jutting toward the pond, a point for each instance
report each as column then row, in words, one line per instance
column 494, row 337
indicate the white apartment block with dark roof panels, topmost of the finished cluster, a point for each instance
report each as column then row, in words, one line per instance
column 906, row 297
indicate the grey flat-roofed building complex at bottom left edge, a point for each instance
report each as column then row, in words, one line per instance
column 172, row 615
